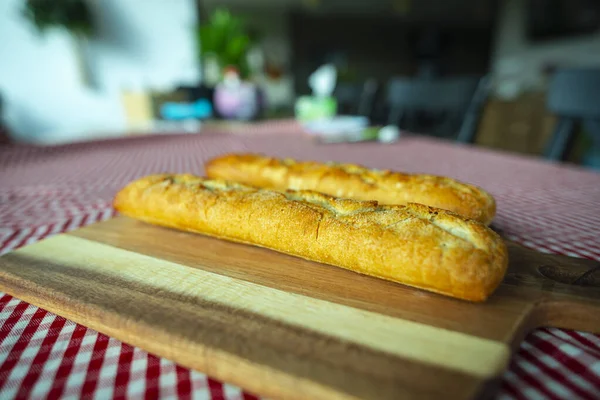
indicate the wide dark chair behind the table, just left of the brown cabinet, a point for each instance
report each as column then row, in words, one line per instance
column 456, row 102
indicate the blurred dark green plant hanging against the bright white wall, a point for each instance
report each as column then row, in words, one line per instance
column 73, row 16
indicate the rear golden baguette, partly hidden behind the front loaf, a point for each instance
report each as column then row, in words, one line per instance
column 355, row 182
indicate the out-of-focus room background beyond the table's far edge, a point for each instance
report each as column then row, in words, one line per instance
column 516, row 75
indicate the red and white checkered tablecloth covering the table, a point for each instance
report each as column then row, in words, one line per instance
column 44, row 191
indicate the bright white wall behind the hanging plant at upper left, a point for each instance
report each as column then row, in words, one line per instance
column 142, row 43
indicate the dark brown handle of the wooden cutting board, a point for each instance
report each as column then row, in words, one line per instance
column 568, row 288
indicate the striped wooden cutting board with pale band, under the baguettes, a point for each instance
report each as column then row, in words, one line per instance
column 288, row 328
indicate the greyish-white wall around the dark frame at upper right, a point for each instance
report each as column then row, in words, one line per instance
column 518, row 64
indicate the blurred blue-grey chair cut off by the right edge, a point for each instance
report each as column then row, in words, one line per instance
column 574, row 96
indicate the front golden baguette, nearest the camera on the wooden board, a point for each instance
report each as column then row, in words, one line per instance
column 415, row 245
